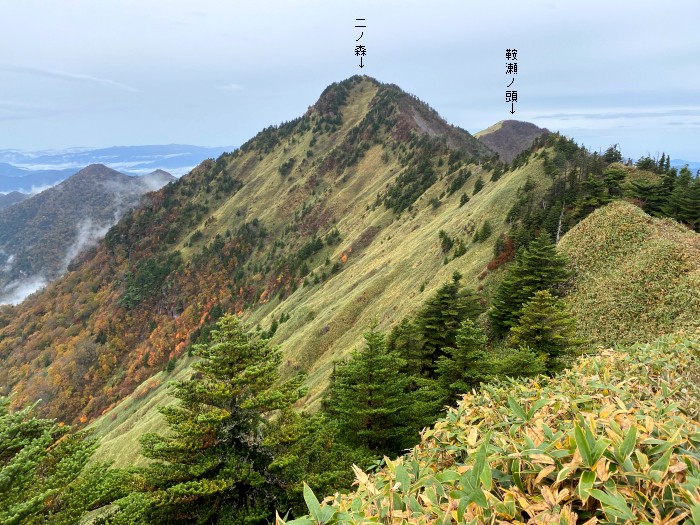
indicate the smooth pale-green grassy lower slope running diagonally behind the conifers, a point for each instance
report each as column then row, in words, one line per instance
column 381, row 281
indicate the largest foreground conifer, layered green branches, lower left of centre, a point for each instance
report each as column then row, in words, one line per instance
column 213, row 465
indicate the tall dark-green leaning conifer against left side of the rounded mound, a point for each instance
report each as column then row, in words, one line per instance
column 539, row 267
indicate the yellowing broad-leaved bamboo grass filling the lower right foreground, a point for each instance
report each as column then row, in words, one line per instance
column 614, row 439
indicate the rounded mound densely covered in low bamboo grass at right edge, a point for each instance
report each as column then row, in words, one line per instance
column 636, row 276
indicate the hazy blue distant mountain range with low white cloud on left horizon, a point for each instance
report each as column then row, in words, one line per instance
column 30, row 172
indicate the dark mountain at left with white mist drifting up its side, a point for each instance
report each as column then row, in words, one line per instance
column 40, row 235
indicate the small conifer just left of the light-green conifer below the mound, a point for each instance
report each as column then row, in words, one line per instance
column 464, row 365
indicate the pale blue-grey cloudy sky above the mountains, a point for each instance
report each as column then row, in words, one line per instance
column 214, row 72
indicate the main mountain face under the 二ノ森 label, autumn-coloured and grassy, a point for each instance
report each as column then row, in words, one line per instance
column 338, row 199
